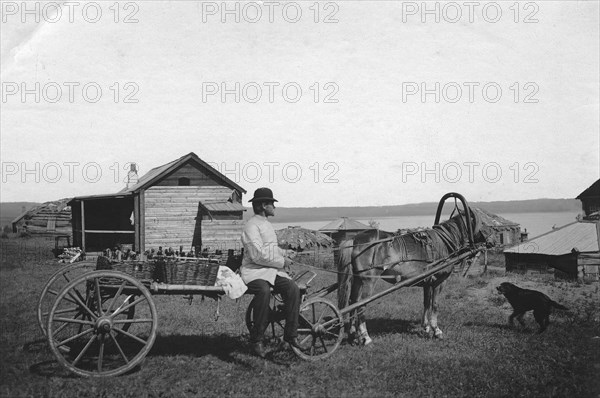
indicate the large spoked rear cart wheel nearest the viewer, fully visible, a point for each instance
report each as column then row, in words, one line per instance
column 92, row 331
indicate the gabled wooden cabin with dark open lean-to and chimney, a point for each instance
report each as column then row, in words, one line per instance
column 184, row 204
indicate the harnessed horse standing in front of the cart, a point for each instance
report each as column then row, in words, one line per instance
column 374, row 254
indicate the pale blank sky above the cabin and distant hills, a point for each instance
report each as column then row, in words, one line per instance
column 342, row 103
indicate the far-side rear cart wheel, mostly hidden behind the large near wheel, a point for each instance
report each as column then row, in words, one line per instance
column 55, row 284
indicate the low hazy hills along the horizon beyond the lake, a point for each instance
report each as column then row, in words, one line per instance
column 10, row 210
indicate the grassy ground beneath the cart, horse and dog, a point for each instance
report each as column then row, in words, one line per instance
column 194, row 355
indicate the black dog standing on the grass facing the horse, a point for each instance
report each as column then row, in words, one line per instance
column 523, row 300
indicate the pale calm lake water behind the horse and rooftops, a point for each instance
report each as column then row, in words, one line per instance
column 535, row 223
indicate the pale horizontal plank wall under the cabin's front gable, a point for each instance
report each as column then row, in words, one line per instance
column 170, row 218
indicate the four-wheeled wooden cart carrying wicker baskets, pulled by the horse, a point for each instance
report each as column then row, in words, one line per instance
column 101, row 322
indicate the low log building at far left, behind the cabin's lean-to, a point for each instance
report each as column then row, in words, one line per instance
column 48, row 219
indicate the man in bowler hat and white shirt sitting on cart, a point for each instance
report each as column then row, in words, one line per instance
column 263, row 268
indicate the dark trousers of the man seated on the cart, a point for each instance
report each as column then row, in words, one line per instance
column 261, row 290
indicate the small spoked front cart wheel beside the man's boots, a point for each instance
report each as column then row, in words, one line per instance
column 320, row 329
